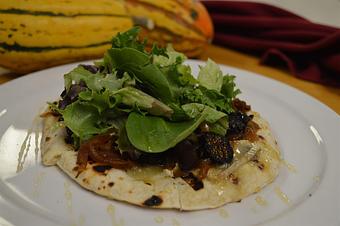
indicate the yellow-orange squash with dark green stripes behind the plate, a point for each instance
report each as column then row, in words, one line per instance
column 36, row 34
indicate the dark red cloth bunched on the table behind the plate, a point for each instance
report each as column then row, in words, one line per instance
column 310, row 51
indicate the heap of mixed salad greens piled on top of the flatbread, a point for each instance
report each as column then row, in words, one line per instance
column 151, row 98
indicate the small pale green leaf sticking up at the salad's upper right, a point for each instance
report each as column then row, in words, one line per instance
column 210, row 76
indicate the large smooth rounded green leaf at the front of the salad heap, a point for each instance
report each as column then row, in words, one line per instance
column 154, row 134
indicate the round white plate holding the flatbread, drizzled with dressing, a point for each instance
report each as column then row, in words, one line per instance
column 307, row 132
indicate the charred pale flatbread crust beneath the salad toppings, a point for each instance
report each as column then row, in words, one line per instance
column 155, row 186
